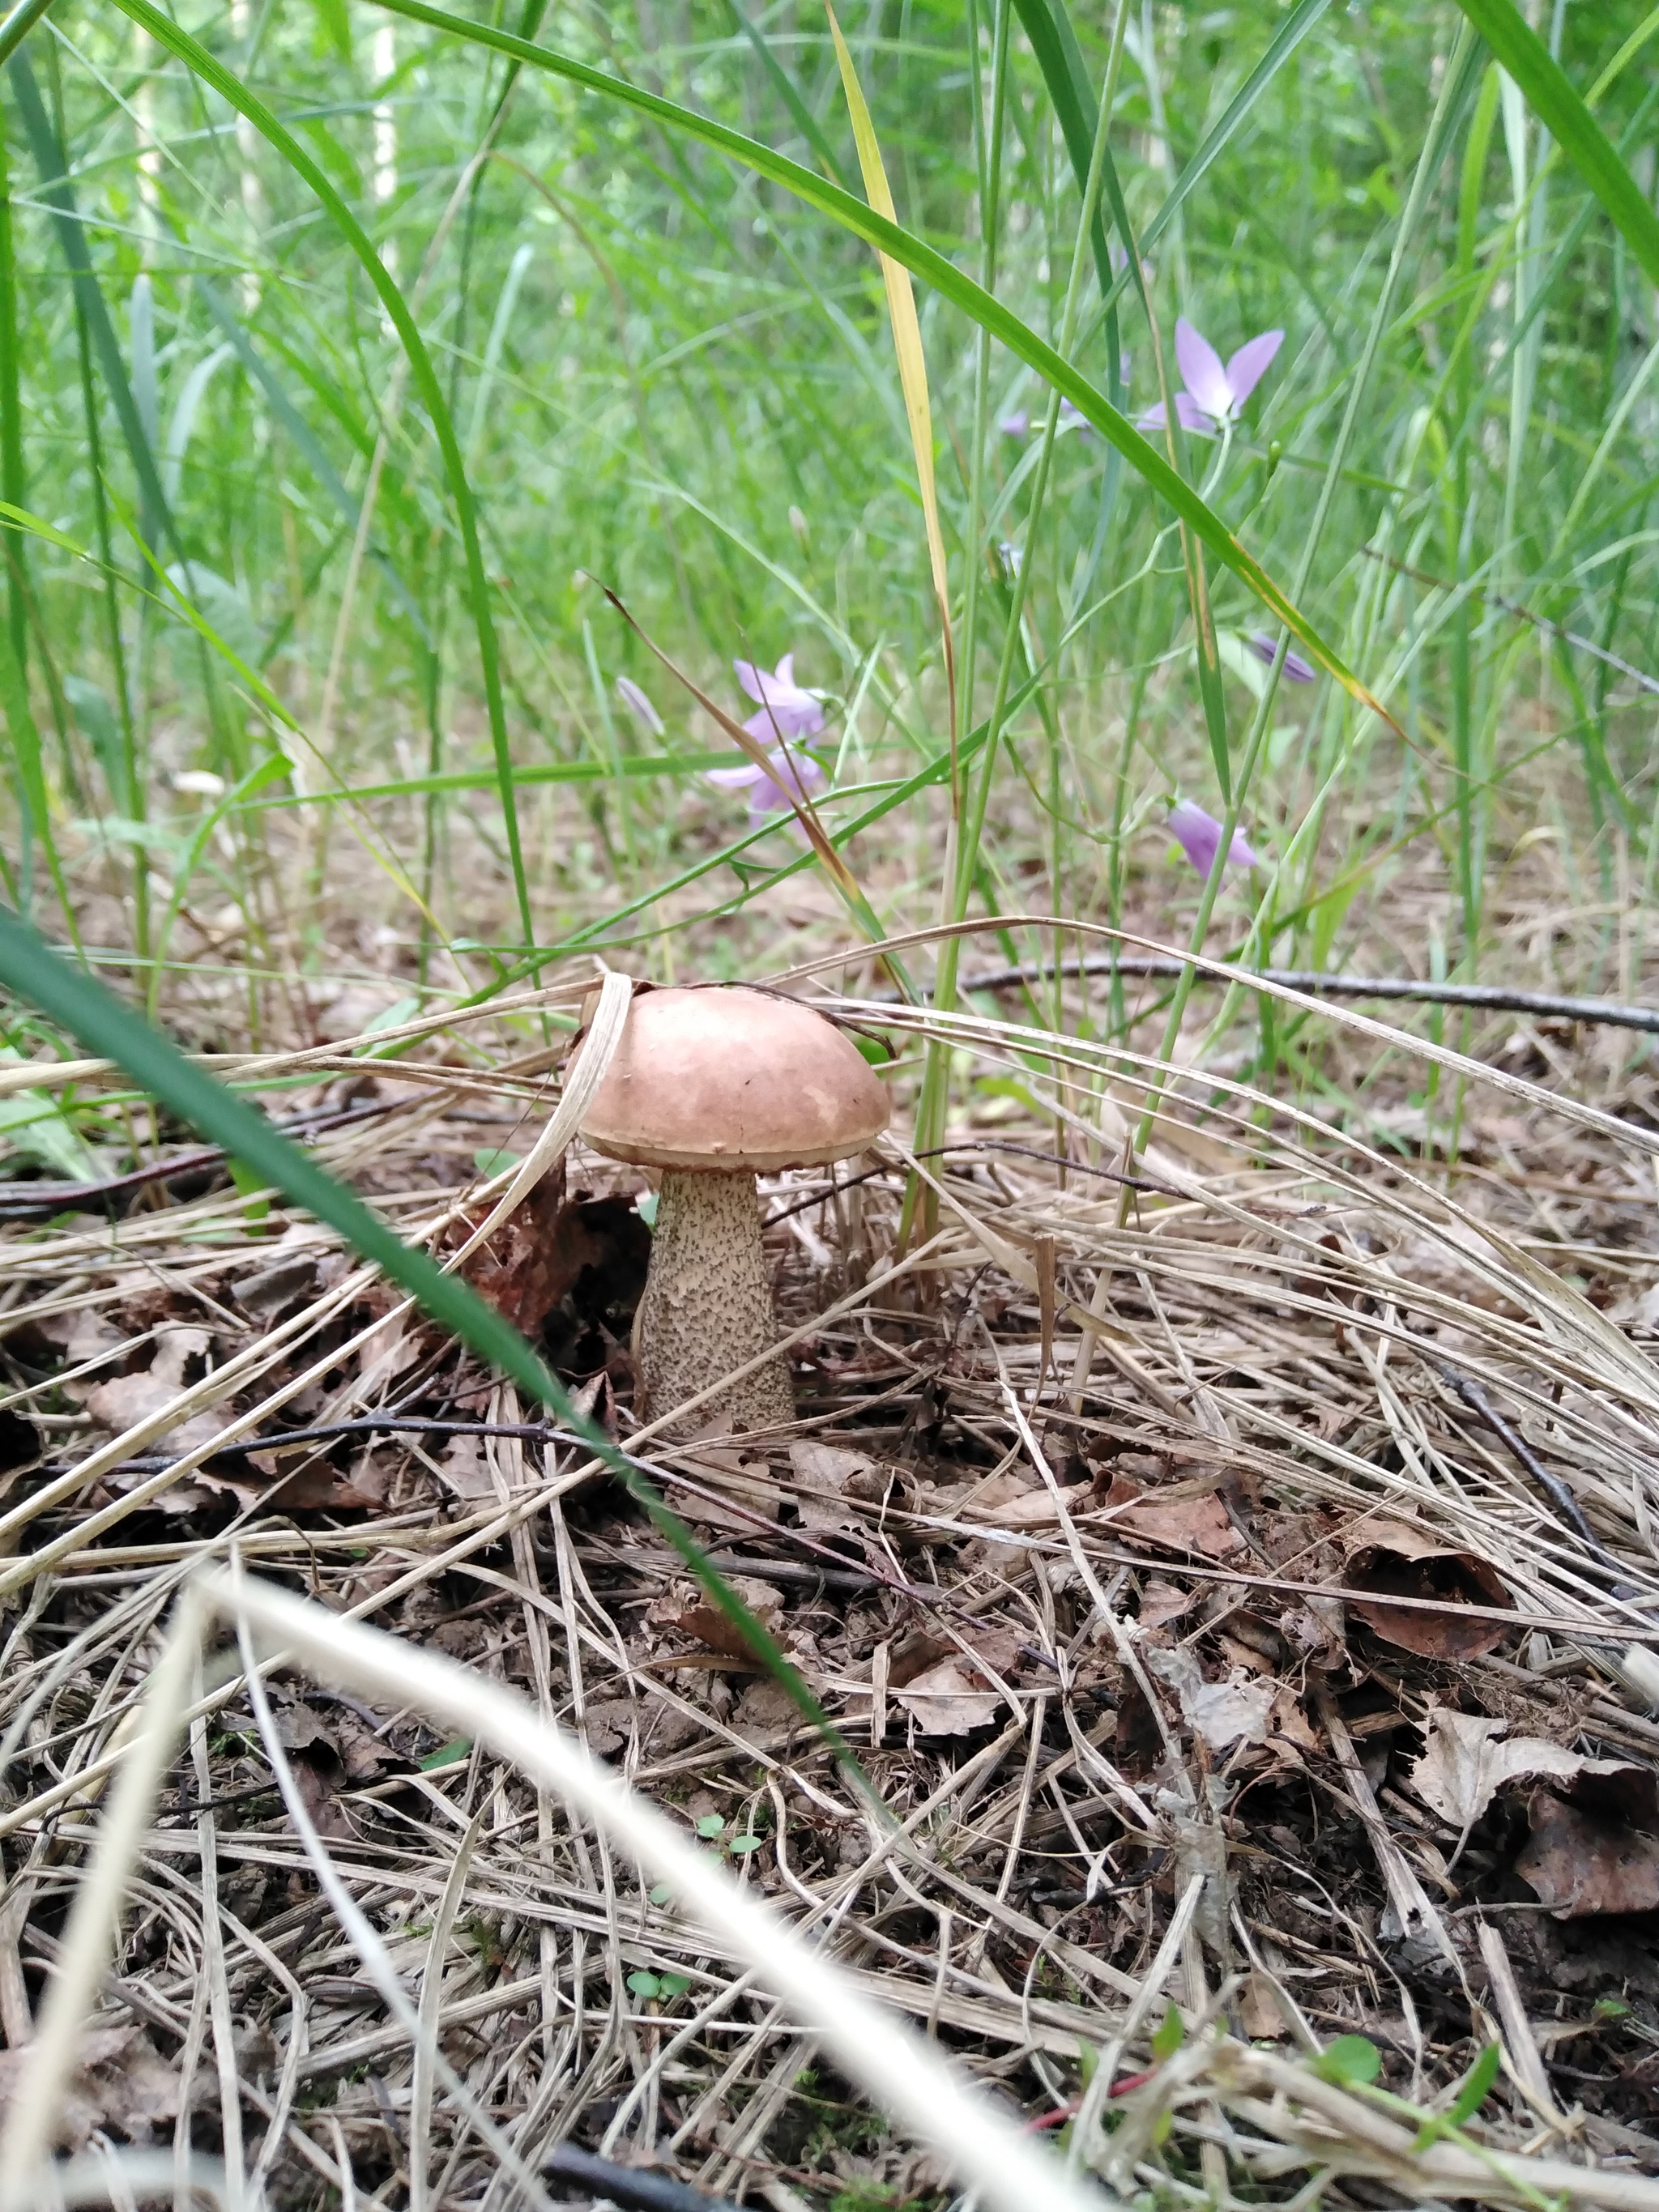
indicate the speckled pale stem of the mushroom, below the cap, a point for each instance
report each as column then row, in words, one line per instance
column 709, row 1306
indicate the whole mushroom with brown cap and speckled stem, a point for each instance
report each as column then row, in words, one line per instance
column 716, row 1087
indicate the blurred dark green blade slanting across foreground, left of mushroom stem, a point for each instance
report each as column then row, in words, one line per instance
column 107, row 1027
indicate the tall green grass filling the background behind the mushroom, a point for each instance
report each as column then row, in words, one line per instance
column 346, row 355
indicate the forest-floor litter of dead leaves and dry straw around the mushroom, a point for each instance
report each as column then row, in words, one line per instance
column 1242, row 1682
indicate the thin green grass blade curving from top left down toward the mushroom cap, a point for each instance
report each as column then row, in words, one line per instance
column 200, row 63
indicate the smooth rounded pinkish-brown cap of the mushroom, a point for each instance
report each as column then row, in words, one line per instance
column 733, row 1081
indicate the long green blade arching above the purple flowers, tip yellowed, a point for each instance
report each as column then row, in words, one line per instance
column 937, row 271
